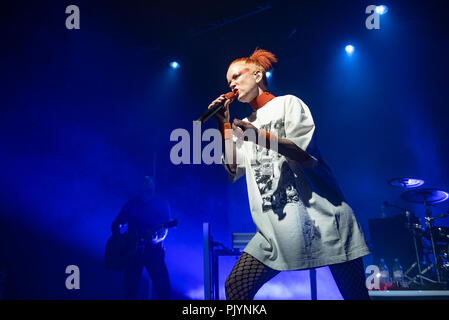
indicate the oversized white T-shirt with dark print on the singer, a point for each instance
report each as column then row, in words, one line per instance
column 300, row 213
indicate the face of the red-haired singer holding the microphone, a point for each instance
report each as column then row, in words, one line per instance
column 242, row 82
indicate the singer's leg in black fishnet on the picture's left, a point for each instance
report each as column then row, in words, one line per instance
column 247, row 277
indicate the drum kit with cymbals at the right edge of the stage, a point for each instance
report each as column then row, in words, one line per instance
column 432, row 240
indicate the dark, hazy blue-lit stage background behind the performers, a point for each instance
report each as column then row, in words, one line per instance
column 86, row 113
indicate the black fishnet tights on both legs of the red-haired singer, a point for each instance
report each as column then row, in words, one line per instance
column 249, row 275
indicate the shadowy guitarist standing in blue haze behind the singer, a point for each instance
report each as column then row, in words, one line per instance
column 137, row 220
